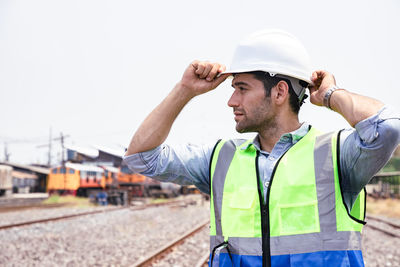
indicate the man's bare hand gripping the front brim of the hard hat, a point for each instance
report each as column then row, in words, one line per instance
column 201, row 77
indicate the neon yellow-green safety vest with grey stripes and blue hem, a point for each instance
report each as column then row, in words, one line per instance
column 304, row 221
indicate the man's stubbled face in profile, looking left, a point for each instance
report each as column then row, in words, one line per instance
column 252, row 109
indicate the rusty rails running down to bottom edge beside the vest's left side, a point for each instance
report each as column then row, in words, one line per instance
column 165, row 250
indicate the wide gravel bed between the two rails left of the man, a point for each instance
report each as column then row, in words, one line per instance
column 116, row 238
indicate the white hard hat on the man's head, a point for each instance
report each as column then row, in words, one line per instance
column 273, row 51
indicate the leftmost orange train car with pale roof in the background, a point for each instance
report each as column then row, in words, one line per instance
column 76, row 179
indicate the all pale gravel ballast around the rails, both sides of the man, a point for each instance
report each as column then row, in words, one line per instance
column 123, row 237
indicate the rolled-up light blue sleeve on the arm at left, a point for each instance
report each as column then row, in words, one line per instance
column 184, row 164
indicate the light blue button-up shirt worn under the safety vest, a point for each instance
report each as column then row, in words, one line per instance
column 363, row 152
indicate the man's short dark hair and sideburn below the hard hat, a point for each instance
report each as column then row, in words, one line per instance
column 271, row 81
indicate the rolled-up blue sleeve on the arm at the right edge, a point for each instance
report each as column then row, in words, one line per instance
column 366, row 149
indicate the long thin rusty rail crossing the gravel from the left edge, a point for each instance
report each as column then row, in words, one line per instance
column 144, row 206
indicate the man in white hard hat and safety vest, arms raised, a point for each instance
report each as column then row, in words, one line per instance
column 291, row 196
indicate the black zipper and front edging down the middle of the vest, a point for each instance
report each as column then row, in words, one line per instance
column 265, row 213
